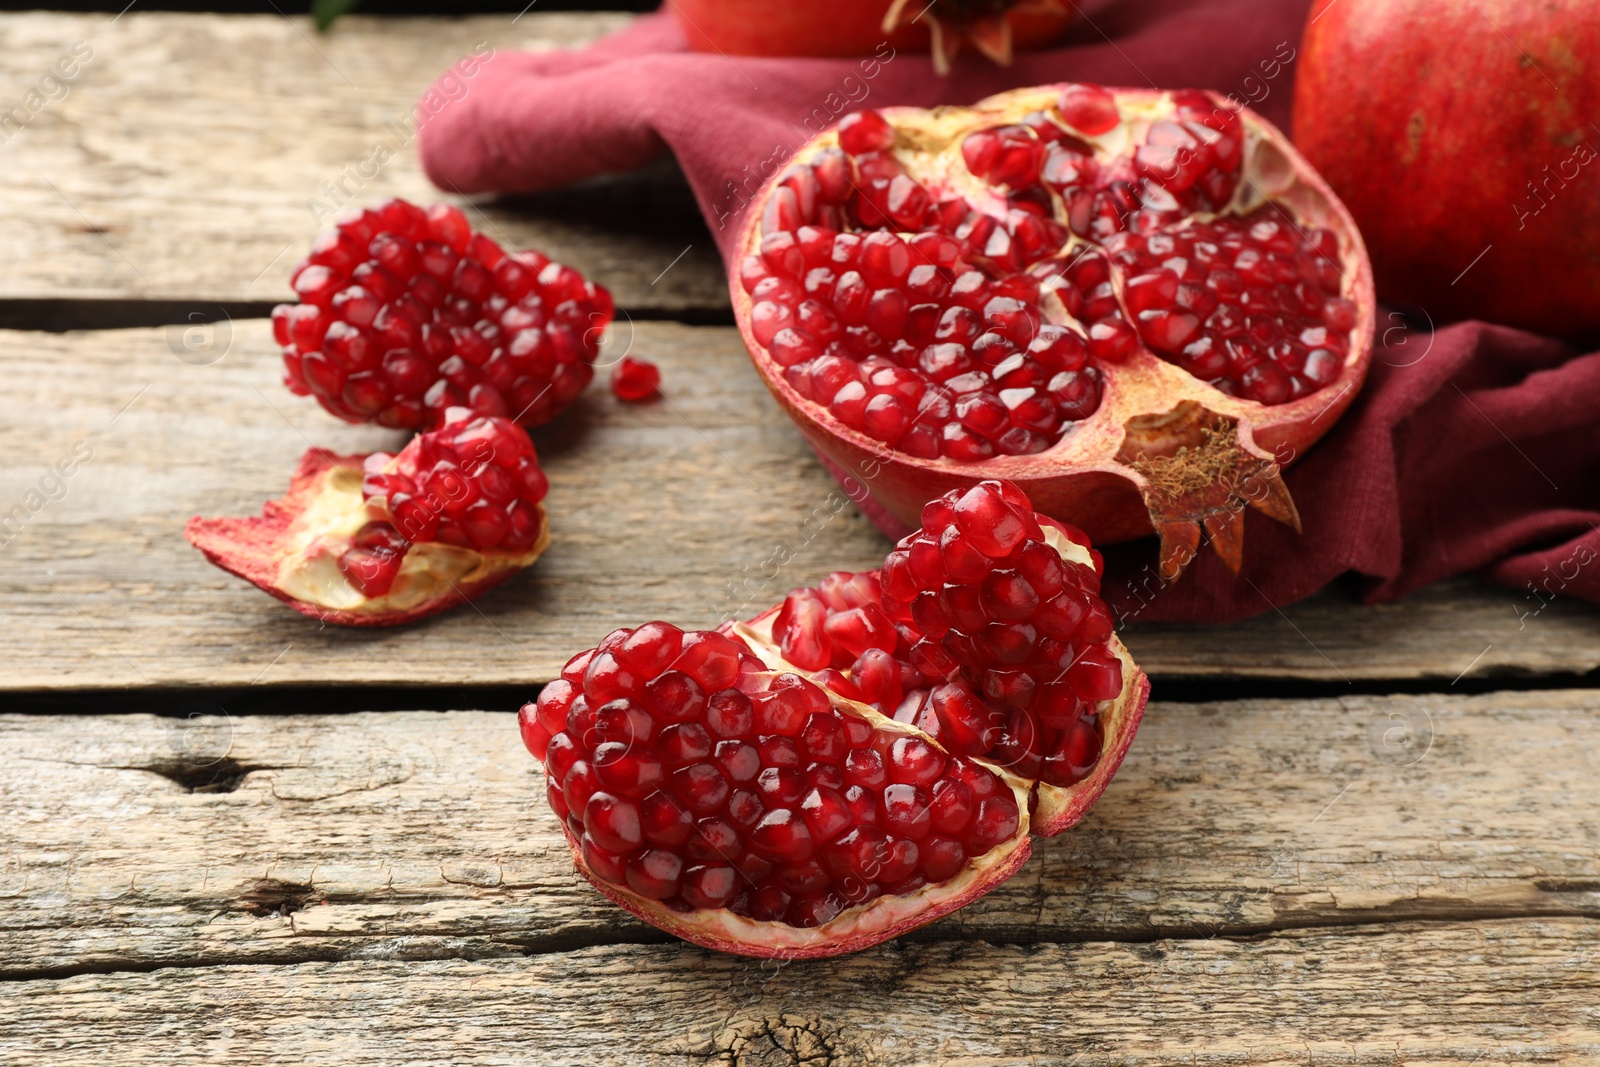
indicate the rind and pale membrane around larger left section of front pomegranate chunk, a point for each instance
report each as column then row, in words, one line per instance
column 855, row 929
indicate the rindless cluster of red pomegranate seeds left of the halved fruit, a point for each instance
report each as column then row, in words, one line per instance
column 407, row 313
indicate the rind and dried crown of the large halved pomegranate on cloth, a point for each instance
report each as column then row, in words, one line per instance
column 1089, row 478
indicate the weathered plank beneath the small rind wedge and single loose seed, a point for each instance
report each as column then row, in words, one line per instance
column 670, row 510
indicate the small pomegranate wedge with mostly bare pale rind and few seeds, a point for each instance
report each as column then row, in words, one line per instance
column 385, row 540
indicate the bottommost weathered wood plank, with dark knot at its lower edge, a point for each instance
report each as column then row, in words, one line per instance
column 1455, row 994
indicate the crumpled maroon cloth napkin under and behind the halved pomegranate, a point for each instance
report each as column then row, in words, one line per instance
column 1471, row 449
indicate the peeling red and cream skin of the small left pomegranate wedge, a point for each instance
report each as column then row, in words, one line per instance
column 254, row 548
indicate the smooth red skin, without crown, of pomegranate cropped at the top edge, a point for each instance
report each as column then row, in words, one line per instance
column 831, row 28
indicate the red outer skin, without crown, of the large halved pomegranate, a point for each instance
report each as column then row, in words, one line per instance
column 1079, row 479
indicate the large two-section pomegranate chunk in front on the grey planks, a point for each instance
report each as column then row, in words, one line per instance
column 857, row 762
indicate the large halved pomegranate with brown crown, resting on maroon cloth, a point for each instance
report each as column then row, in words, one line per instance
column 1135, row 305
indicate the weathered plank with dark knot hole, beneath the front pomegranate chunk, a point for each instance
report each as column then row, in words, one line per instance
column 423, row 836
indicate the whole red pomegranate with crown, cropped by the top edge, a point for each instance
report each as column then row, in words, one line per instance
column 862, row 28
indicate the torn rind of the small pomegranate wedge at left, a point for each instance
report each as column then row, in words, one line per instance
column 257, row 548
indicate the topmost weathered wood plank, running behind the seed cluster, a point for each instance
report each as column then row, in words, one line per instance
column 191, row 153
